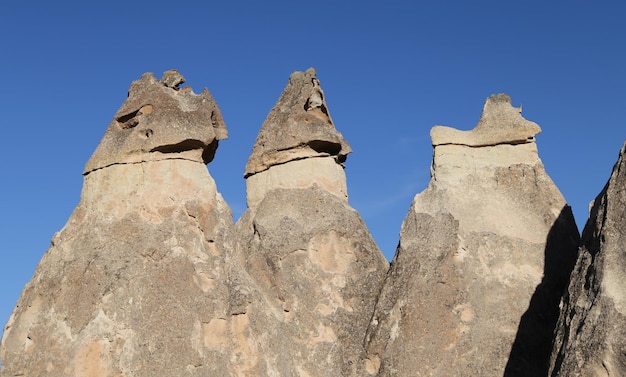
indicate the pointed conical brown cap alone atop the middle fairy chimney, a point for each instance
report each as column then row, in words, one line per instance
column 299, row 126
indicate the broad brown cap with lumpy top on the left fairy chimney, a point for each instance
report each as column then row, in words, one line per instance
column 160, row 121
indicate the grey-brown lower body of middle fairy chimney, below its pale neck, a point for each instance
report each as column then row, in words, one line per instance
column 316, row 263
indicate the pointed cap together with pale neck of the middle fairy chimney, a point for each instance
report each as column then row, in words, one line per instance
column 298, row 144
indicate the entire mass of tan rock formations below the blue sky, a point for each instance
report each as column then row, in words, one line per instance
column 151, row 277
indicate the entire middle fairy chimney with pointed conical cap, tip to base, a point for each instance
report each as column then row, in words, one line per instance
column 309, row 252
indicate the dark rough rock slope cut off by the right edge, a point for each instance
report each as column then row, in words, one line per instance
column 591, row 334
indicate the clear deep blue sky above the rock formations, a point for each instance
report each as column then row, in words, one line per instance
column 390, row 70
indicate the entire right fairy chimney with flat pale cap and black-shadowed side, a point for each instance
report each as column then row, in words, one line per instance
column 484, row 256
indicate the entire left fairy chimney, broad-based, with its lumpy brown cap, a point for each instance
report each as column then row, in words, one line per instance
column 142, row 280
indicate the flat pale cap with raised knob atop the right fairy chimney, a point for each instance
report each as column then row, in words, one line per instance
column 500, row 123
